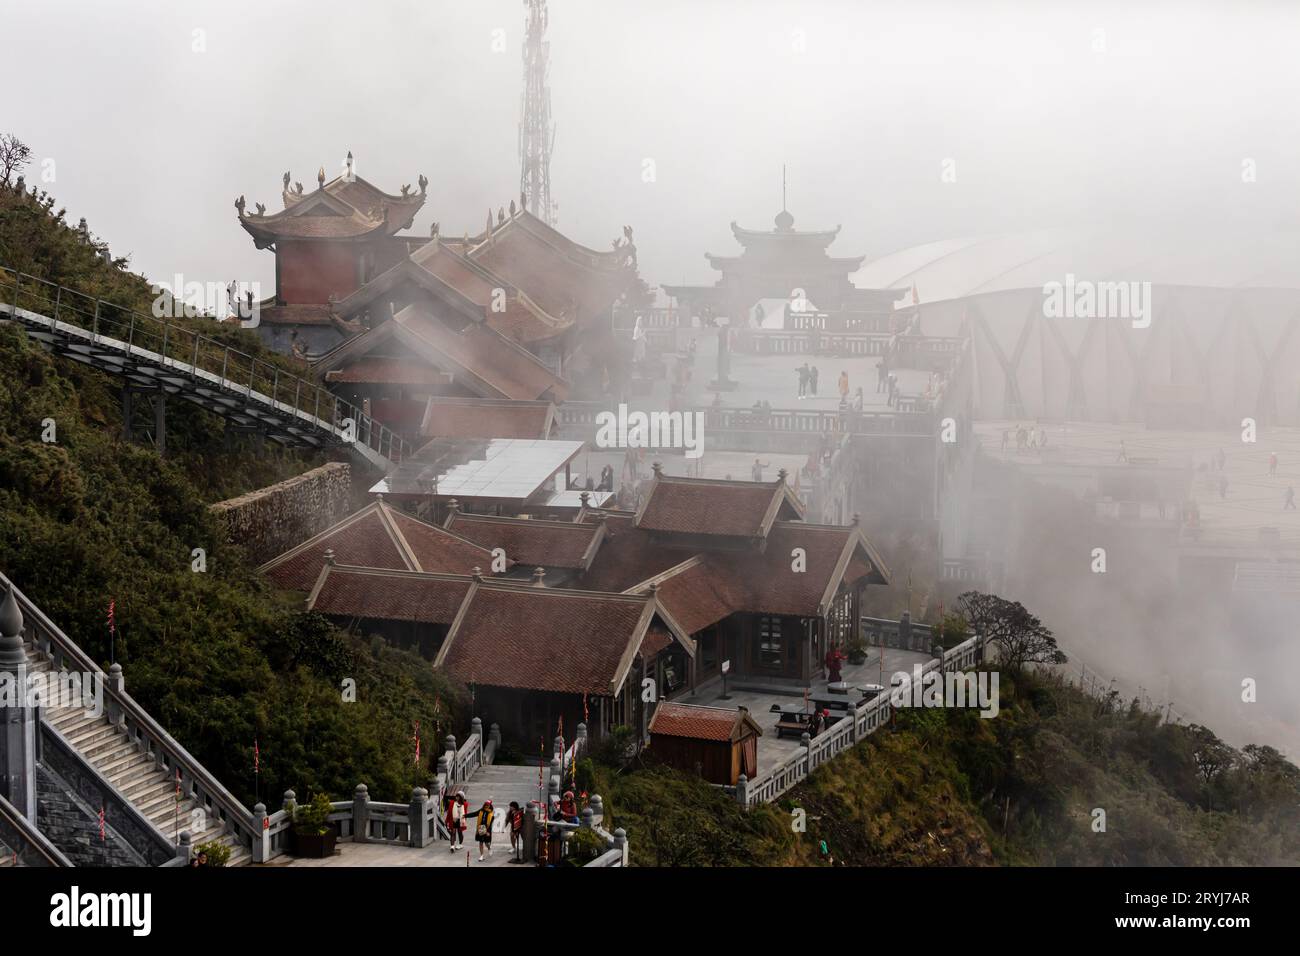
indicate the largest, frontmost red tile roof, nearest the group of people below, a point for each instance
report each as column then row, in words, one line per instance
column 545, row 639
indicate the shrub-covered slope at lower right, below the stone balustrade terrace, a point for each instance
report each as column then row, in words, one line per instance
column 946, row 788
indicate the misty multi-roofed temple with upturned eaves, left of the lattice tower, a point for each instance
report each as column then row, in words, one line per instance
column 389, row 321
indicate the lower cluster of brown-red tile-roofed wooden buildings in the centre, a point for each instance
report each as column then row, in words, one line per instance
column 556, row 620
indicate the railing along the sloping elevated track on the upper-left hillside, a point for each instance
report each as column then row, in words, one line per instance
column 288, row 392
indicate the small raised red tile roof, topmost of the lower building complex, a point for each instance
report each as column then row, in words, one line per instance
column 709, row 507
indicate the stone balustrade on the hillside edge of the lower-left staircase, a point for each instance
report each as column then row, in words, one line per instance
column 203, row 786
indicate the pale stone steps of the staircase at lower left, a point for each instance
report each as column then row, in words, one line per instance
column 151, row 790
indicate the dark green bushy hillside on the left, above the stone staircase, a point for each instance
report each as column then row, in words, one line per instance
column 92, row 520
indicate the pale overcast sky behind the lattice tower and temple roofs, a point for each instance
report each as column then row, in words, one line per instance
column 1051, row 114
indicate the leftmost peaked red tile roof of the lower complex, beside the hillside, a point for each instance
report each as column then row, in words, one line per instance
column 379, row 538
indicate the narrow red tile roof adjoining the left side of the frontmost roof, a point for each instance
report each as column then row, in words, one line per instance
column 354, row 592
